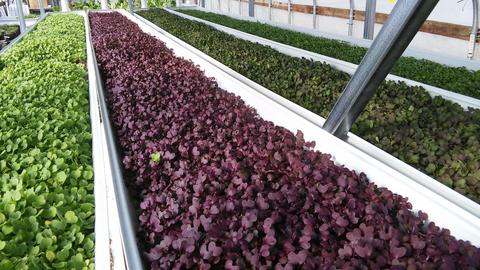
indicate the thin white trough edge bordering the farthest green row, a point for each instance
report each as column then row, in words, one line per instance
column 462, row 100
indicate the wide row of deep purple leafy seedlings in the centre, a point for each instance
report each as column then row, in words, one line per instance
column 219, row 187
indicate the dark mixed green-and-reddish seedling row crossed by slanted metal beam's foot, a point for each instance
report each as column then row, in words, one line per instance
column 432, row 134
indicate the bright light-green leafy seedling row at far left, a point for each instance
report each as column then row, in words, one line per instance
column 46, row 187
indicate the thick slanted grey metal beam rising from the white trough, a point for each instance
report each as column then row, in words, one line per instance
column 404, row 22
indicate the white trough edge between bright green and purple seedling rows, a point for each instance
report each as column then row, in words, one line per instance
column 109, row 253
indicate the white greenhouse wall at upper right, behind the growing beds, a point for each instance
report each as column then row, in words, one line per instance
column 446, row 11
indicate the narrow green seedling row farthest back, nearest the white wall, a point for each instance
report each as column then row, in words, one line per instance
column 457, row 79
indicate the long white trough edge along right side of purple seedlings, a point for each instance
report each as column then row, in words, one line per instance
column 463, row 223
